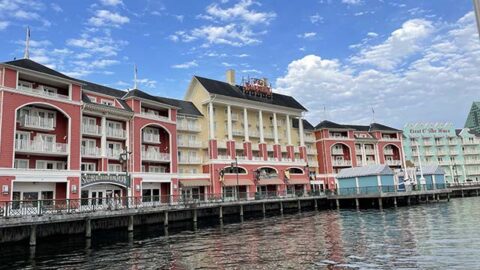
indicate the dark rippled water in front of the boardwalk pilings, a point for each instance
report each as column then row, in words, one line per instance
column 434, row 236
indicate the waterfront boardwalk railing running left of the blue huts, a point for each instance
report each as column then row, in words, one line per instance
column 72, row 206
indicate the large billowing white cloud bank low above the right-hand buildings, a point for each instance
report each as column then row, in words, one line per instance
column 436, row 85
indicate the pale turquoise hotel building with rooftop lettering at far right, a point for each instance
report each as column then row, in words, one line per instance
column 457, row 151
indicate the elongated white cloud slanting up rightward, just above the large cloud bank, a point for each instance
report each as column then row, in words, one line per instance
column 401, row 44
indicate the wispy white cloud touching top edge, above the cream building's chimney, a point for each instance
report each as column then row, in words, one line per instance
column 240, row 11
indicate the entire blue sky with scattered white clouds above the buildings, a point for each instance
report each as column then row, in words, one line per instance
column 348, row 61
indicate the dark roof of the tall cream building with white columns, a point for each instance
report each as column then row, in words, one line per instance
column 226, row 89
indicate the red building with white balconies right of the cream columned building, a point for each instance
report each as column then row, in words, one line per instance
column 346, row 146
